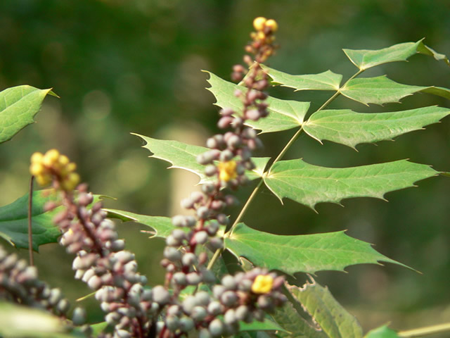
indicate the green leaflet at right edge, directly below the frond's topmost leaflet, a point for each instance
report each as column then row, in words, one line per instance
column 380, row 90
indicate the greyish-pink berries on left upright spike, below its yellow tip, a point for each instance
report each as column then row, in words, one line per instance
column 105, row 266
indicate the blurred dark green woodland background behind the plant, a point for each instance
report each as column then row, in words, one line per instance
column 124, row 66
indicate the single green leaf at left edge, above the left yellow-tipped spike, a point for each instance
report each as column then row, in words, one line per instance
column 18, row 106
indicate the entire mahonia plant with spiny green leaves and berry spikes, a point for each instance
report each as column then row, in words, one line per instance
column 195, row 298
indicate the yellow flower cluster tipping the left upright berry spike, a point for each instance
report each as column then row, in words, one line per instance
column 52, row 163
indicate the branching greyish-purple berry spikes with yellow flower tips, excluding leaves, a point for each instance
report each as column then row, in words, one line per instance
column 101, row 261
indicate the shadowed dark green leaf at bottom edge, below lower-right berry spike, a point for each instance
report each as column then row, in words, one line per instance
column 288, row 317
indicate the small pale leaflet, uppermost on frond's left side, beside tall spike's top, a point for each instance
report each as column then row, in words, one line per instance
column 323, row 81
